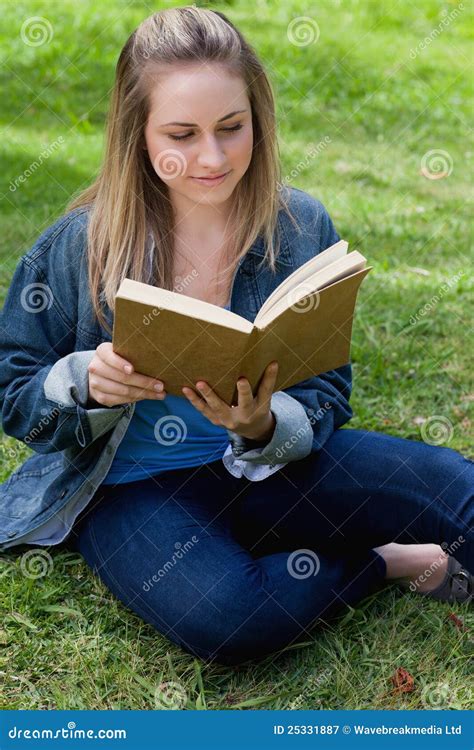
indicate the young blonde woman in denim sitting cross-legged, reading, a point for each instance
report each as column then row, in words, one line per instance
column 230, row 530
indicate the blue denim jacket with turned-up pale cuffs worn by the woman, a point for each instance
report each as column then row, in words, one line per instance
column 48, row 336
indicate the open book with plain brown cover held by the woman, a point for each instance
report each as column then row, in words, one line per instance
column 305, row 325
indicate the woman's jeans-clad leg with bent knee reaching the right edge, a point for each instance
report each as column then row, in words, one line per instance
column 363, row 490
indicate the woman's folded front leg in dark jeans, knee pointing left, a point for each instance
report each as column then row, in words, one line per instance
column 165, row 547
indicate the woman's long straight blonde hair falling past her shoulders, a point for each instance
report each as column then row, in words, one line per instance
column 128, row 201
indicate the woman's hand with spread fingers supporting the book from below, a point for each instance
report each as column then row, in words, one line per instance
column 251, row 418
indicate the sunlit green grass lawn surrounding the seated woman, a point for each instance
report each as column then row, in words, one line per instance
column 65, row 642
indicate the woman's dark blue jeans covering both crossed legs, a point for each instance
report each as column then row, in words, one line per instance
column 231, row 569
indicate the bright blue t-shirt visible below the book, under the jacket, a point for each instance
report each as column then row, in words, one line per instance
column 164, row 435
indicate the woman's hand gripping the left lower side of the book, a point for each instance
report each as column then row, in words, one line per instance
column 113, row 382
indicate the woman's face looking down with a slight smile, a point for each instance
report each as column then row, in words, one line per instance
column 213, row 136
